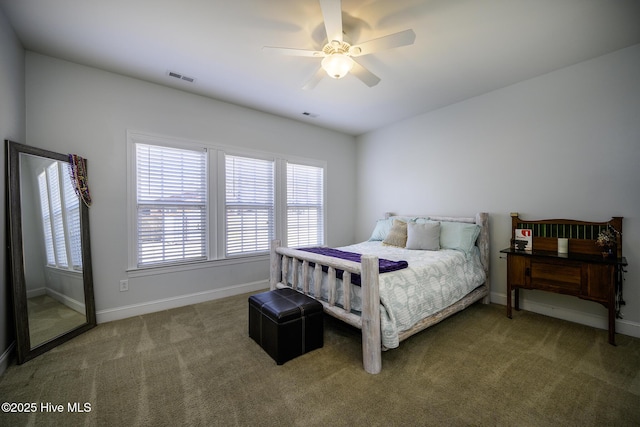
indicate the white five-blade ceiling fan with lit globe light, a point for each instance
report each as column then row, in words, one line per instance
column 338, row 55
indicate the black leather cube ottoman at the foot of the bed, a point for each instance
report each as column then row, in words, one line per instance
column 285, row 323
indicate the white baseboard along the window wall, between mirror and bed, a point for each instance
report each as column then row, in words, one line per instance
column 109, row 315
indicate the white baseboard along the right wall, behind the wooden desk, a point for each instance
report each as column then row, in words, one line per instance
column 624, row 327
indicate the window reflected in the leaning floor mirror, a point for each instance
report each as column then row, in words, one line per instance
column 60, row 209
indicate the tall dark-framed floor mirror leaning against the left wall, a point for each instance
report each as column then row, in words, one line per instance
column 49, row 254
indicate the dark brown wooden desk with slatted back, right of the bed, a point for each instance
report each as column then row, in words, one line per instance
column 582, row 272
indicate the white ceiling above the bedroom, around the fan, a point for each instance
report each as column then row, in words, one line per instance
column 463, row 48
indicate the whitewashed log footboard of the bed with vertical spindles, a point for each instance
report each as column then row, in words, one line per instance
column 368, row 321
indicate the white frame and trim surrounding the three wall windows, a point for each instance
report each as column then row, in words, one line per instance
column 216, row 206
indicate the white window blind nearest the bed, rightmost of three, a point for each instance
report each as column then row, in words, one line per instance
column 305, row 205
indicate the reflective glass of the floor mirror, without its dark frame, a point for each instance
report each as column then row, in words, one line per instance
column 53, row 271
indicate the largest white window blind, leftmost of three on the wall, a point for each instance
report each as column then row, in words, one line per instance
column 171, row 199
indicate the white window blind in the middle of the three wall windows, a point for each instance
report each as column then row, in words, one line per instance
column 249, row 204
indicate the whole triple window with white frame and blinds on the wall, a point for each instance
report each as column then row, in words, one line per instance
column 193, row 201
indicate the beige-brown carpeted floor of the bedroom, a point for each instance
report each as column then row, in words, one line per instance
column 196, row 366
